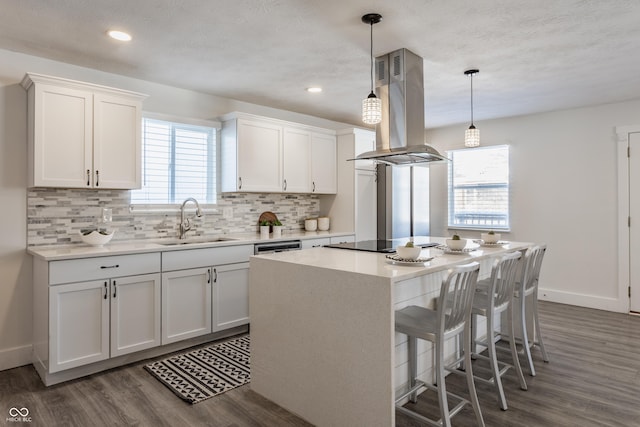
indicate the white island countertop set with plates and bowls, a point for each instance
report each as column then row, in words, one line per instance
column 376, row 264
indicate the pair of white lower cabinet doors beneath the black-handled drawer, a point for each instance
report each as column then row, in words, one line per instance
column 92, row 321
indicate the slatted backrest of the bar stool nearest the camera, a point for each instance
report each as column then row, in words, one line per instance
column 456, row 298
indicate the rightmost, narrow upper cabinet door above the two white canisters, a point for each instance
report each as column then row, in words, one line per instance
column 324, row 178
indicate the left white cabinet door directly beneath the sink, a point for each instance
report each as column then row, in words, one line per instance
column 186, row 304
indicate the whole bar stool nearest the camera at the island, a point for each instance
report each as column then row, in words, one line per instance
column 452, row 317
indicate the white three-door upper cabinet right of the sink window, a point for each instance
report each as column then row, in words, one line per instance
column 259, row 154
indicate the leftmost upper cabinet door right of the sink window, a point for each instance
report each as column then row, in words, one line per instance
column 259, row 156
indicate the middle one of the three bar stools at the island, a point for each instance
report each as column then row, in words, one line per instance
column 497, row 300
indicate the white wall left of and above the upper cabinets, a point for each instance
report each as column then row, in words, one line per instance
column 15, row 264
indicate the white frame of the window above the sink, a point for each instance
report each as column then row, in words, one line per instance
column 187, row 121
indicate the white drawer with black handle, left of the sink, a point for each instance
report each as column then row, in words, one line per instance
column 78, row 270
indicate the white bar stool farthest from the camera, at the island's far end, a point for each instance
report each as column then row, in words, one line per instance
column 528, row 287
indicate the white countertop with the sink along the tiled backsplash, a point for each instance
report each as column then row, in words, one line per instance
column 62, row 252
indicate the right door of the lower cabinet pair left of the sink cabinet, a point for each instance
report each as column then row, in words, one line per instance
column 135, row 313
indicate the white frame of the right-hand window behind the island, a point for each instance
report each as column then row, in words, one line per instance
column 450, row 201
